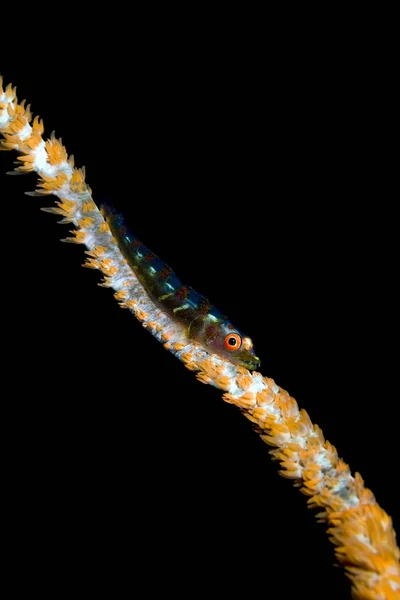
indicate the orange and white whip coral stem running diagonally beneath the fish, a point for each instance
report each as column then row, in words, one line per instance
column 361, row 531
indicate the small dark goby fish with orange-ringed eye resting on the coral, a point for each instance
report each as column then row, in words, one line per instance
column 204, row 323
